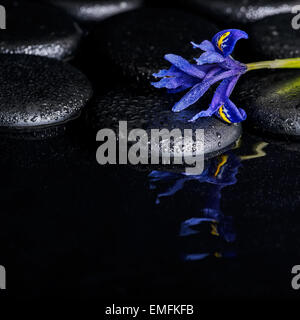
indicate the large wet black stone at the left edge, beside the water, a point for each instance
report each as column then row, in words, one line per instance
column 37, row 92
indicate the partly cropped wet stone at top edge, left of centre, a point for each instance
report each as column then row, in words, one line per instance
column 95, row 10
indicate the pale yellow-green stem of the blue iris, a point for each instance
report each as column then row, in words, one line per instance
column 291, row 63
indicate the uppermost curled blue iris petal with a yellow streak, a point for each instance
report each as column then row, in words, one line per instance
column 224, row 41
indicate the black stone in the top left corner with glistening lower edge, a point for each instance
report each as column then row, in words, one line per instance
column 41, row 30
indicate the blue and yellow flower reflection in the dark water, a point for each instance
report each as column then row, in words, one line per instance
column 219, row 172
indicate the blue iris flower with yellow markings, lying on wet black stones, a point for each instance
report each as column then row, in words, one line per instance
column 214, row 65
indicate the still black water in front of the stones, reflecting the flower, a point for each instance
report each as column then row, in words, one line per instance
column 73, row 228
